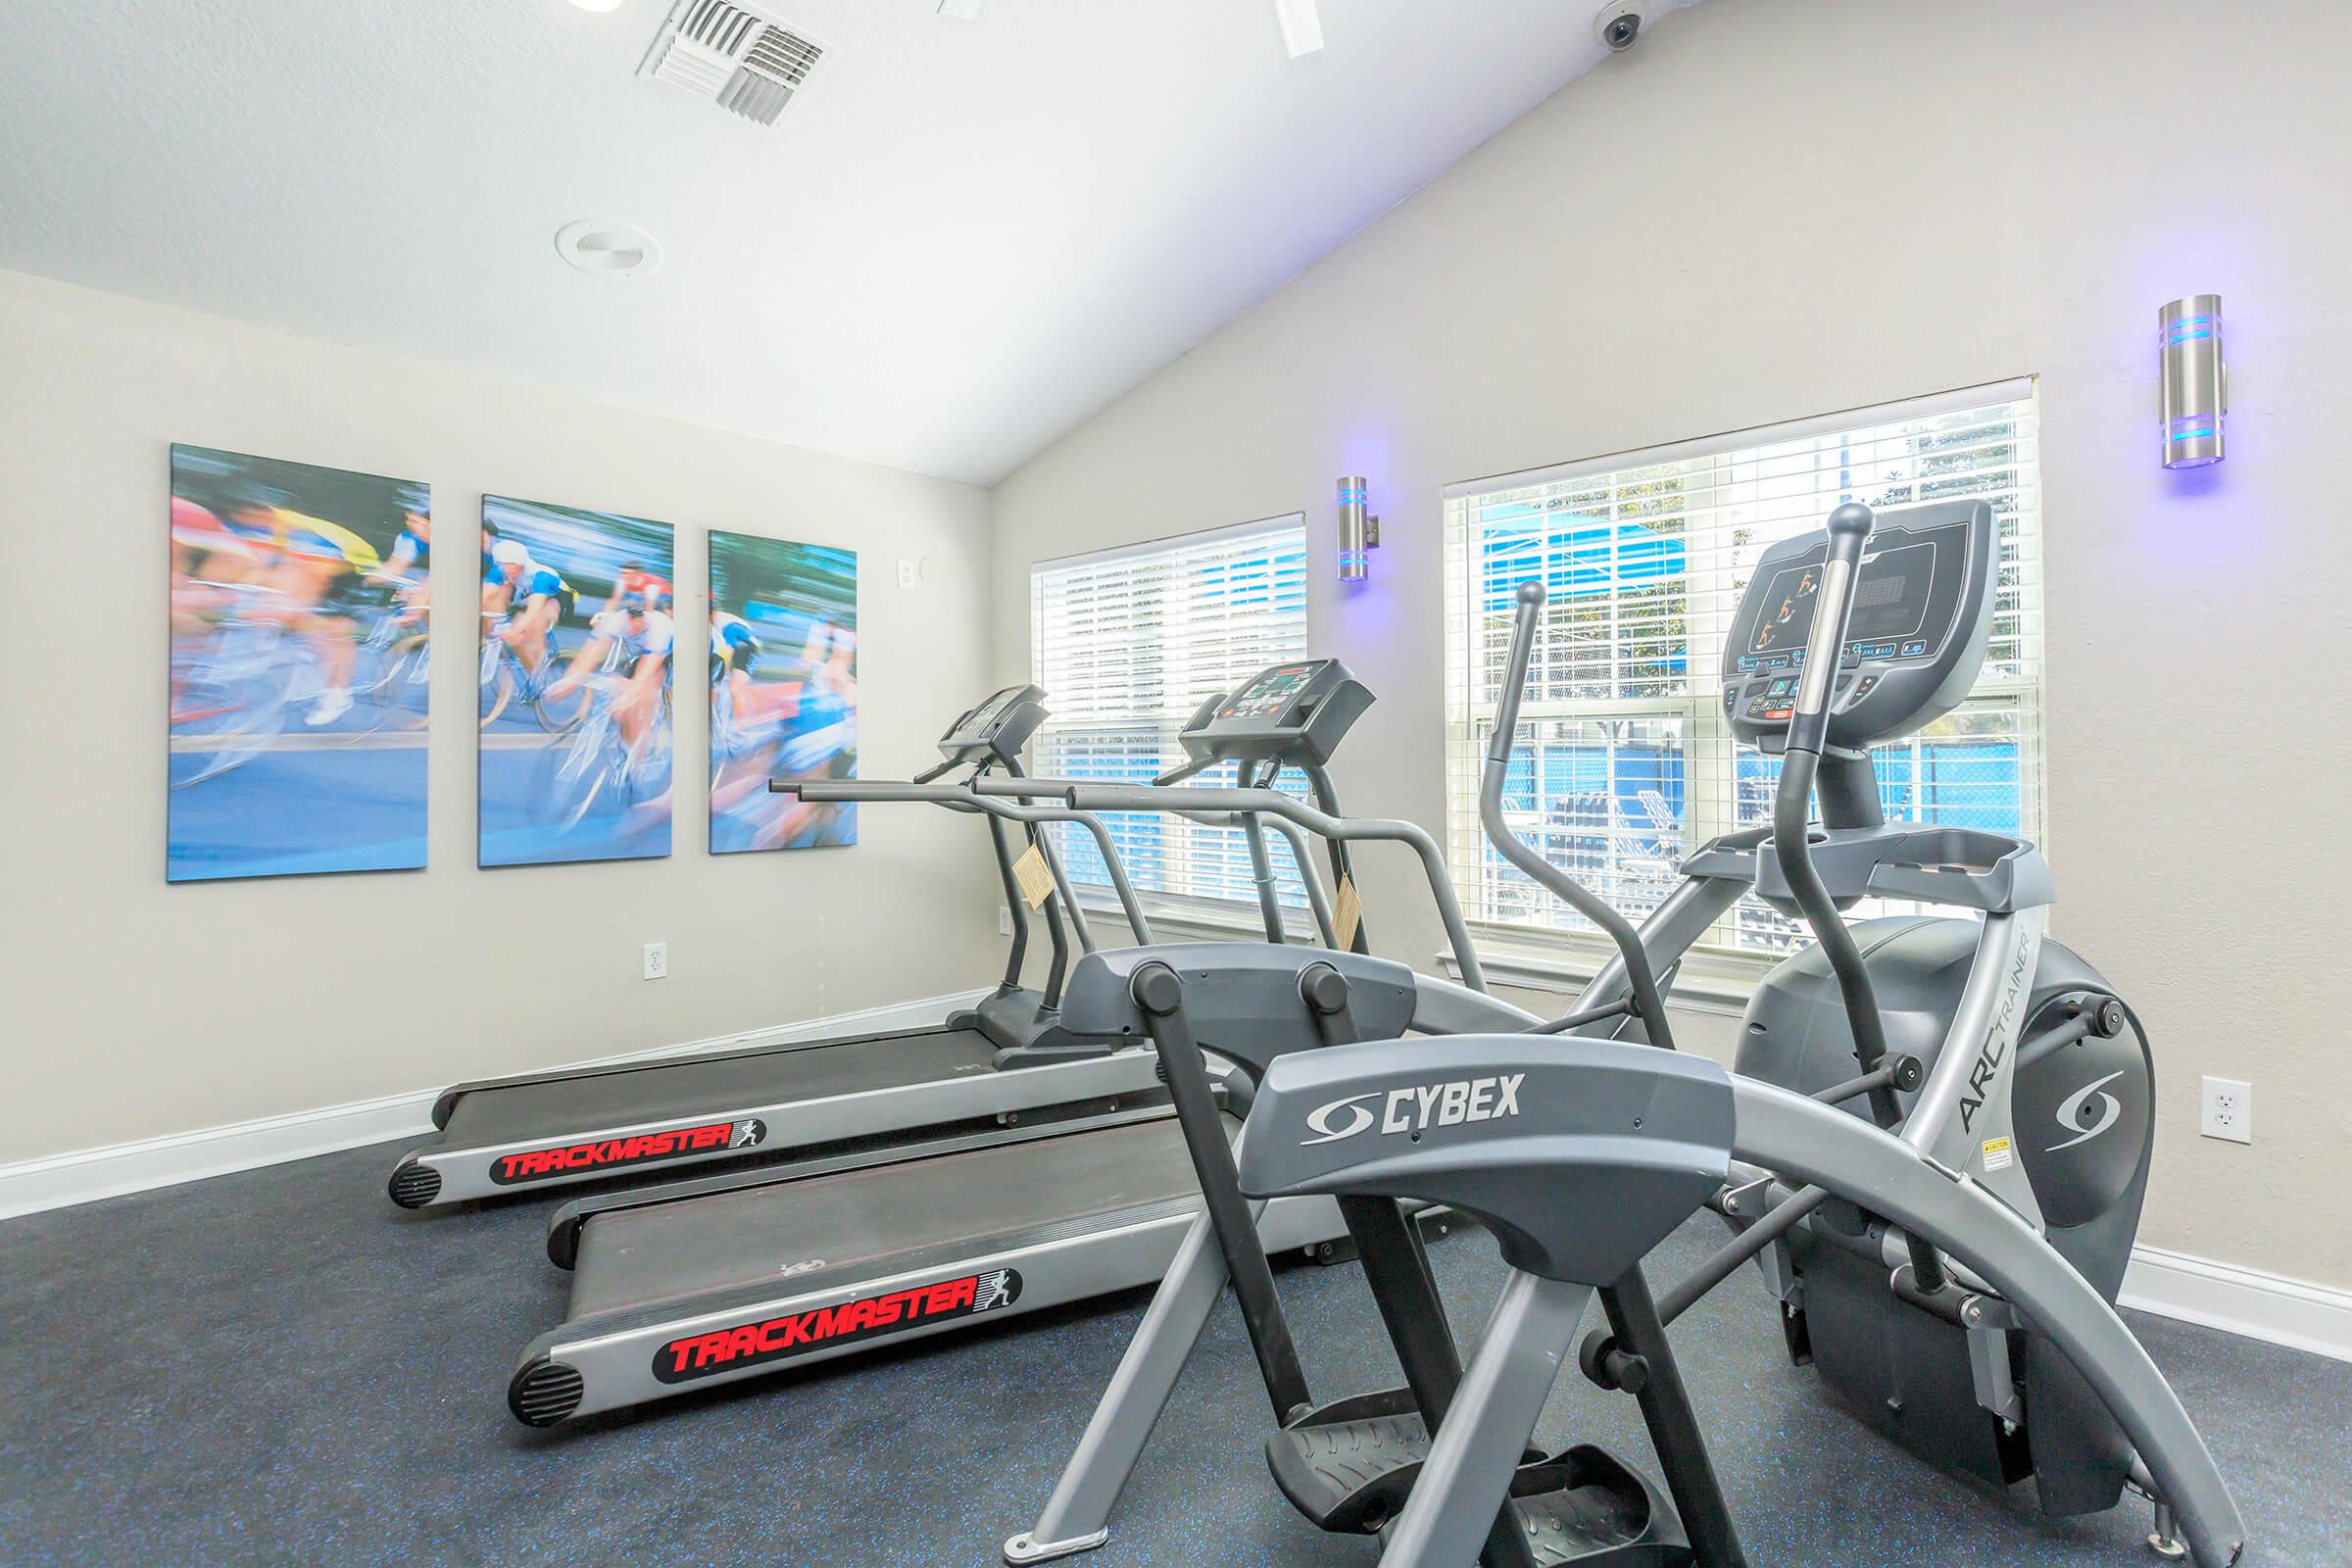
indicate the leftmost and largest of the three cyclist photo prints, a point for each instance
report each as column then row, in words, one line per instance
column 300, row 626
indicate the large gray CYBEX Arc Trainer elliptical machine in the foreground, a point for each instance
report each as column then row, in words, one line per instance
column 1615, row 1144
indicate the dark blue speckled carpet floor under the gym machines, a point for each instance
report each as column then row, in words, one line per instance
column 281, row 1369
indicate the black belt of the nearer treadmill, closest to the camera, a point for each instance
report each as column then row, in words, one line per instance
column 862, row 1219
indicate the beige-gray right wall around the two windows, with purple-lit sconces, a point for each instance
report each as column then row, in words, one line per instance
column 1782, row 208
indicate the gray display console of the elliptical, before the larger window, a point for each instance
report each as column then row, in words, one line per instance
column 1916, row 636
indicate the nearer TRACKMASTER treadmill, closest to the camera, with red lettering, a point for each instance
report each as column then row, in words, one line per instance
column 707, row 1282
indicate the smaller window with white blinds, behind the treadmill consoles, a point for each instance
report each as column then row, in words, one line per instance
column 1128, row 645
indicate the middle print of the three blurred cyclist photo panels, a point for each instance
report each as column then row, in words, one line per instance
column 577, row 681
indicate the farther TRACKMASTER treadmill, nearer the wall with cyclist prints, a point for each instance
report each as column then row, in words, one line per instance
column 1005, row 1061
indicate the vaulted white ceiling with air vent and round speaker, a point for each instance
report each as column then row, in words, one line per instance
column 958, row 241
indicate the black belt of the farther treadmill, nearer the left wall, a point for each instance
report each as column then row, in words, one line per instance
column 693, row 1087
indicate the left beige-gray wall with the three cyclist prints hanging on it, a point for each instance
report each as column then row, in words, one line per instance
column 140, row 1010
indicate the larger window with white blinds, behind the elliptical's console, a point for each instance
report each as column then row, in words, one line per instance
column 1624, row 760
